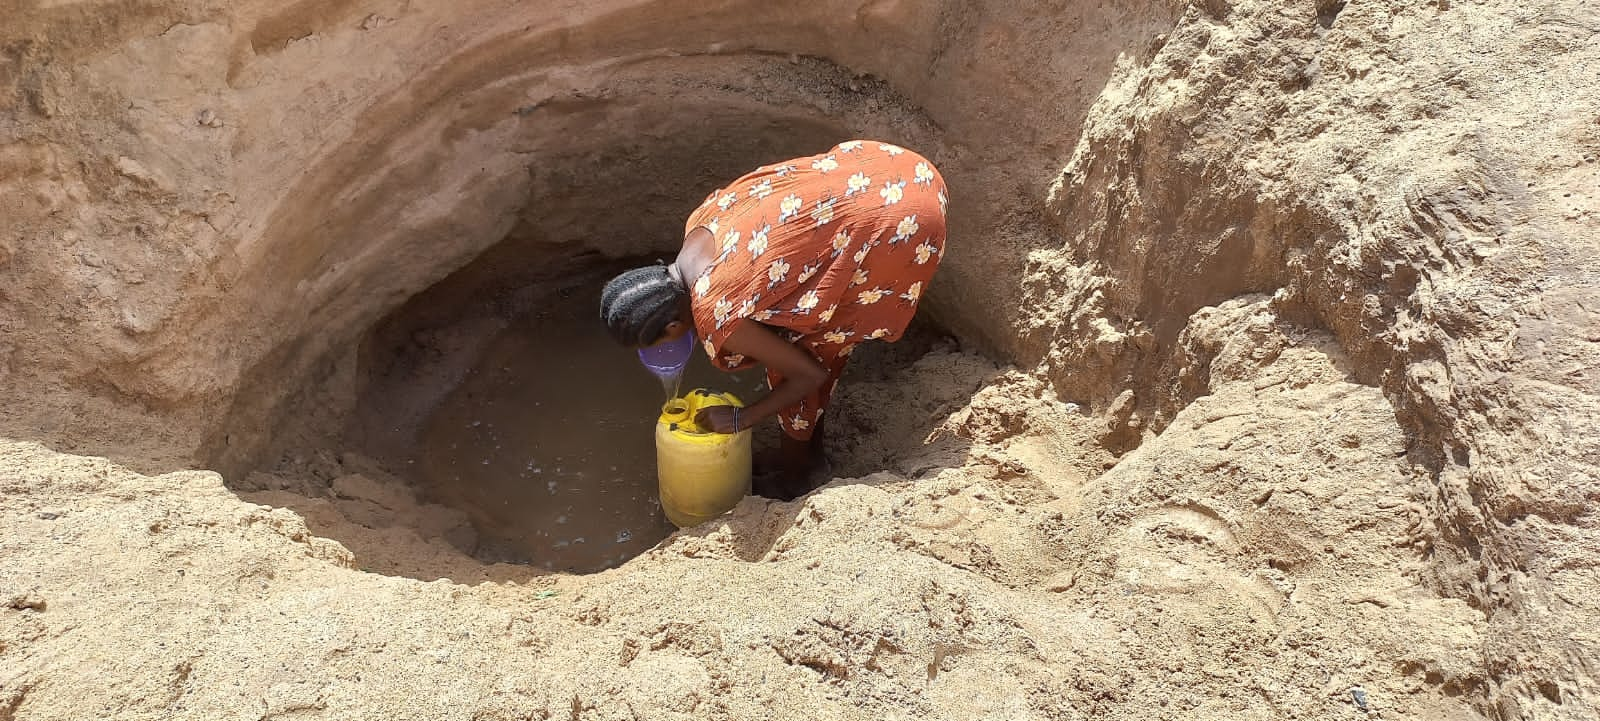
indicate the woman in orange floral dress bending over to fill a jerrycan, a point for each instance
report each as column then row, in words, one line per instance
column 791, row 268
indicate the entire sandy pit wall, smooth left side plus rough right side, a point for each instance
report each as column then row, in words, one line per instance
column 207, row 205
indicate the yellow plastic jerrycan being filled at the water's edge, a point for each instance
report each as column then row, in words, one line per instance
column 702, row 474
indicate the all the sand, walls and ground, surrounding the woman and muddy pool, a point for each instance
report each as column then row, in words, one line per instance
column 1273, row 396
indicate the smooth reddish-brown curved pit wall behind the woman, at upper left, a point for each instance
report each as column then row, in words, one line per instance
column 226, row 197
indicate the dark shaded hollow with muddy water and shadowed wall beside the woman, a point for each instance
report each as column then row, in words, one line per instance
column 500, row 394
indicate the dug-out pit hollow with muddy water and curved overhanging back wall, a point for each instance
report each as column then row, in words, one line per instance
column 450, row 273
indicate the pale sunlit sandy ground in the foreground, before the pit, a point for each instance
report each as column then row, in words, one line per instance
column 1249, row 565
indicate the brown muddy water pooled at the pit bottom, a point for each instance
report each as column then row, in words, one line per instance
column 550, row 444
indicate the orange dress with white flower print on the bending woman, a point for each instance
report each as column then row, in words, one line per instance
column 828, row 250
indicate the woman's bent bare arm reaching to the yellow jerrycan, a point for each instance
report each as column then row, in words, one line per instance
column 801, row 372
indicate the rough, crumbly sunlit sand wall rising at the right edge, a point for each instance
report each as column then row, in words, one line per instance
column 1417, row 180
